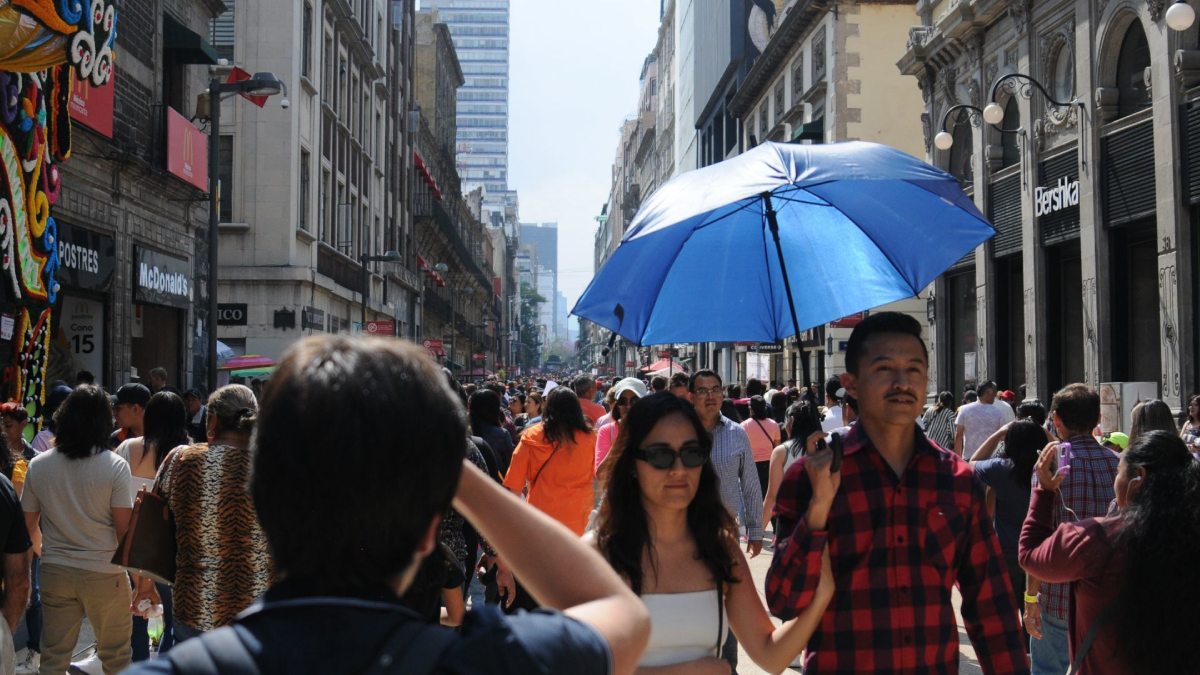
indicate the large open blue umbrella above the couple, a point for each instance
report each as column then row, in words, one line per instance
column 781, row 240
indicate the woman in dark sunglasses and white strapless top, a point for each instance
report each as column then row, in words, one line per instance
column 664, row 529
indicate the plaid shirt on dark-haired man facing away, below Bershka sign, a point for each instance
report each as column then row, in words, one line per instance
column 1088, row 491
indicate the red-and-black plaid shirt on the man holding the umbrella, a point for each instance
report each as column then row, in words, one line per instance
column 899, row 546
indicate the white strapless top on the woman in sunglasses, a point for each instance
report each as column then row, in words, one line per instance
column 683, row 628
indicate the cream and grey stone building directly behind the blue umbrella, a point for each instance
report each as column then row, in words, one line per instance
column 827, row 76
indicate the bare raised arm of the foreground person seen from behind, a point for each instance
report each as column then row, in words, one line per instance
column 574, row 580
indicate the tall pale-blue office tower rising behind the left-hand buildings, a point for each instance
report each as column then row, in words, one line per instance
column 481, row 33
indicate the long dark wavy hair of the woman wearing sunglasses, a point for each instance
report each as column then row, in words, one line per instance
column 623, row 531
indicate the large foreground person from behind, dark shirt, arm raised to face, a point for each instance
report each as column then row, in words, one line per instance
column 335, row 607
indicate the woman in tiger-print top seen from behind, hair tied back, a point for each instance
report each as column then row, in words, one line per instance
column 223, row 564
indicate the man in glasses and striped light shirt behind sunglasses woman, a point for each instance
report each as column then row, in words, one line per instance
column 735, row 468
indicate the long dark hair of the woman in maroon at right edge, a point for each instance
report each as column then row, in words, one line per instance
column 1161, row 536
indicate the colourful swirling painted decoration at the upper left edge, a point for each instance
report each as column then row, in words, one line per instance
column 45, row 46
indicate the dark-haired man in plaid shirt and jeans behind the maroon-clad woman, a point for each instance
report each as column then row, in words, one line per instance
column 1085, row 493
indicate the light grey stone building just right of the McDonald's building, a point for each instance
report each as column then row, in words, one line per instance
column 310, row 190
